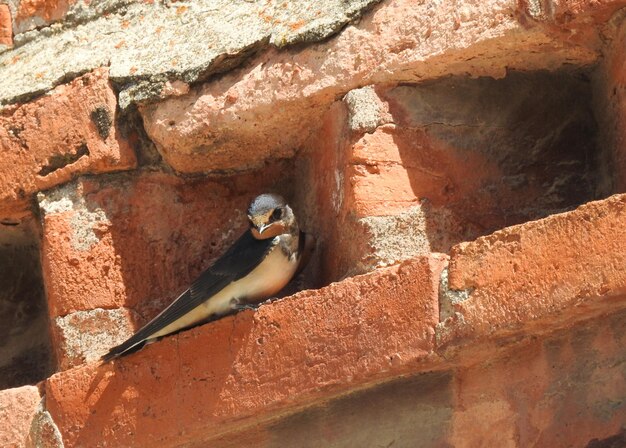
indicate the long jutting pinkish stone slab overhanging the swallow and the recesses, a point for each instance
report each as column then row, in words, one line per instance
column 273, row 103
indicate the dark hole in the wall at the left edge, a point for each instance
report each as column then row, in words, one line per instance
column 25, row 349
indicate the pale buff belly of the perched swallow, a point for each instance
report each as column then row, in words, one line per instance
column 269, row 277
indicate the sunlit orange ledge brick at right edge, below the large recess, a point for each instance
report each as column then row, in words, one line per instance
column 541, row 274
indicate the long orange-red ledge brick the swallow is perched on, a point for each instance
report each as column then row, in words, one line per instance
column 250, row 367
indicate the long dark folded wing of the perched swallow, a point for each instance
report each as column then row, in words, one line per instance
column 237, row 262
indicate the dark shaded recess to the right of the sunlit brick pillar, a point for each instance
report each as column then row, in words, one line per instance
column 499, row 152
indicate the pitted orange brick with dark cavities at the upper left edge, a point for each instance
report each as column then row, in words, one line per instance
column 68, row 132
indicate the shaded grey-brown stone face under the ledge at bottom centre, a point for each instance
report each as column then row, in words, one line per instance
column 415, row 411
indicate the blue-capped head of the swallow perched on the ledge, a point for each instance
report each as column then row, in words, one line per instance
column 270, row 216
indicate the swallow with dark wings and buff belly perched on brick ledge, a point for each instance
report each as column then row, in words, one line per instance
column 271, row 252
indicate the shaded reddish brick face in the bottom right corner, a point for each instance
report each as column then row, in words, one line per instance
column 562, row 390
